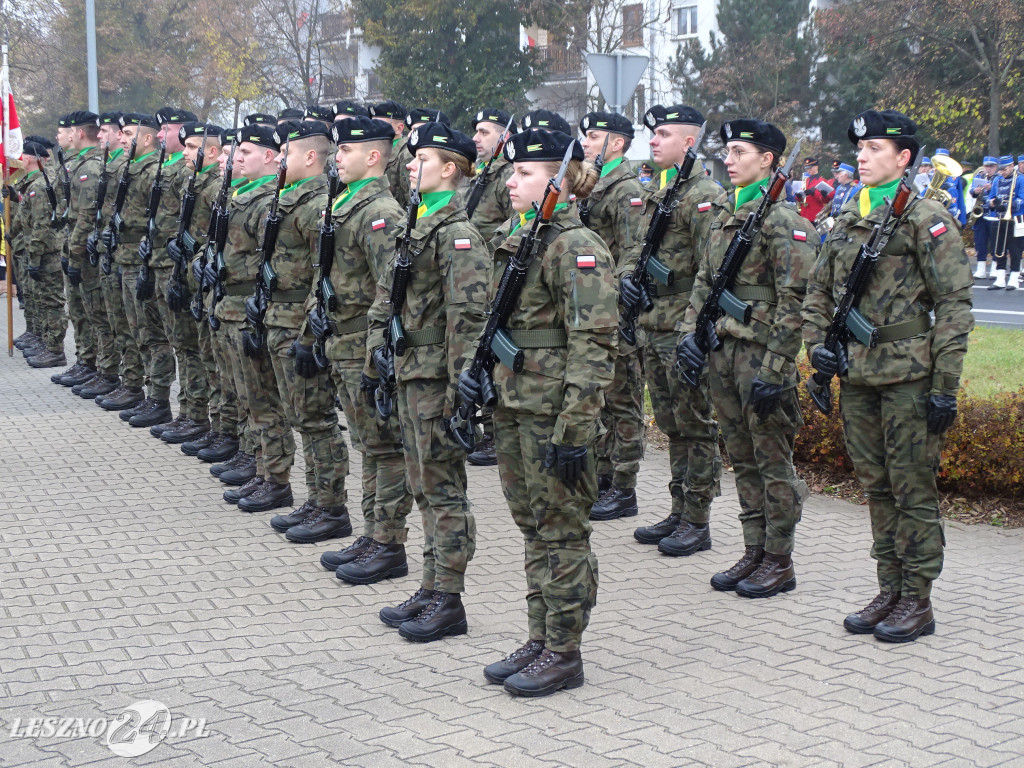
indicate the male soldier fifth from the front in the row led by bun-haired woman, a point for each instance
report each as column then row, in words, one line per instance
column 265, row 477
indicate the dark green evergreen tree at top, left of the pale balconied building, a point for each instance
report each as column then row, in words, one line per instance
column 457, row 56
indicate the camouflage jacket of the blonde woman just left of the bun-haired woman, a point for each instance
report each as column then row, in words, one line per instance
column 447, row 294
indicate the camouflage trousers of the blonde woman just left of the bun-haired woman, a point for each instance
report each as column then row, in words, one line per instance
column 437, row 467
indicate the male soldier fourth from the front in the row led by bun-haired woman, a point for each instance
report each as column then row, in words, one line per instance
column 306, row 390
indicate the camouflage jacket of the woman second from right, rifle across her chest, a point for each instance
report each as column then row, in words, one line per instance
column 780, row 265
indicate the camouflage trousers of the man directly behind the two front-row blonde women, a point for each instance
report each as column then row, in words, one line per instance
column 387, row 498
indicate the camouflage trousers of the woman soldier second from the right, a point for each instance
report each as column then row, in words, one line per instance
column 772, row 496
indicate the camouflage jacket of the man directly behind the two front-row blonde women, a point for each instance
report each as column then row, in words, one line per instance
column 366, row 228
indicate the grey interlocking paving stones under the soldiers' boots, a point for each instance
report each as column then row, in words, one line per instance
column 124, row 577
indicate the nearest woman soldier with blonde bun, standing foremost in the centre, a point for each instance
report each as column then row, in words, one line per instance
column 548, row 416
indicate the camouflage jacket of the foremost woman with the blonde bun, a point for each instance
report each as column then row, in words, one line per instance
column 571, row 287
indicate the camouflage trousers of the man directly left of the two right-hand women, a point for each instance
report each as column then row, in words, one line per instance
column 685, row 415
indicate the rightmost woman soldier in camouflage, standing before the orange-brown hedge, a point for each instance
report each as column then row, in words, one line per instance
column 900, row 398
